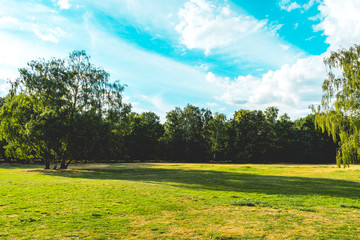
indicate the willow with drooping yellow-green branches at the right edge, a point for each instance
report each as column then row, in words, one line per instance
column 339, row 113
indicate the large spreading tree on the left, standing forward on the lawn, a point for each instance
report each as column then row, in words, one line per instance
column 62, row 90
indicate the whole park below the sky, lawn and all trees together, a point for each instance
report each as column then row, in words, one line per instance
column 78, row 161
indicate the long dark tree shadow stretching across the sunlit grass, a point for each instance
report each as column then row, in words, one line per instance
column 223, row 181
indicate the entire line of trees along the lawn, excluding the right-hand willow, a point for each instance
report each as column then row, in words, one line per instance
column 63, row 110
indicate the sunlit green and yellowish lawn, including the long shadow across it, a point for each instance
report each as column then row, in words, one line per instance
column 180, row 201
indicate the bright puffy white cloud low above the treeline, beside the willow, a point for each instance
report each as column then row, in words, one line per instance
column 292, row 88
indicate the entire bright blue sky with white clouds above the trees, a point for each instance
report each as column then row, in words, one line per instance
column 224, row 55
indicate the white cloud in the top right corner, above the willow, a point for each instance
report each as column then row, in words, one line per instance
column 340, row 22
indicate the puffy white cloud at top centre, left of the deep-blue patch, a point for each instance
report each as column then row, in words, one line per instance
column 206, row 26
